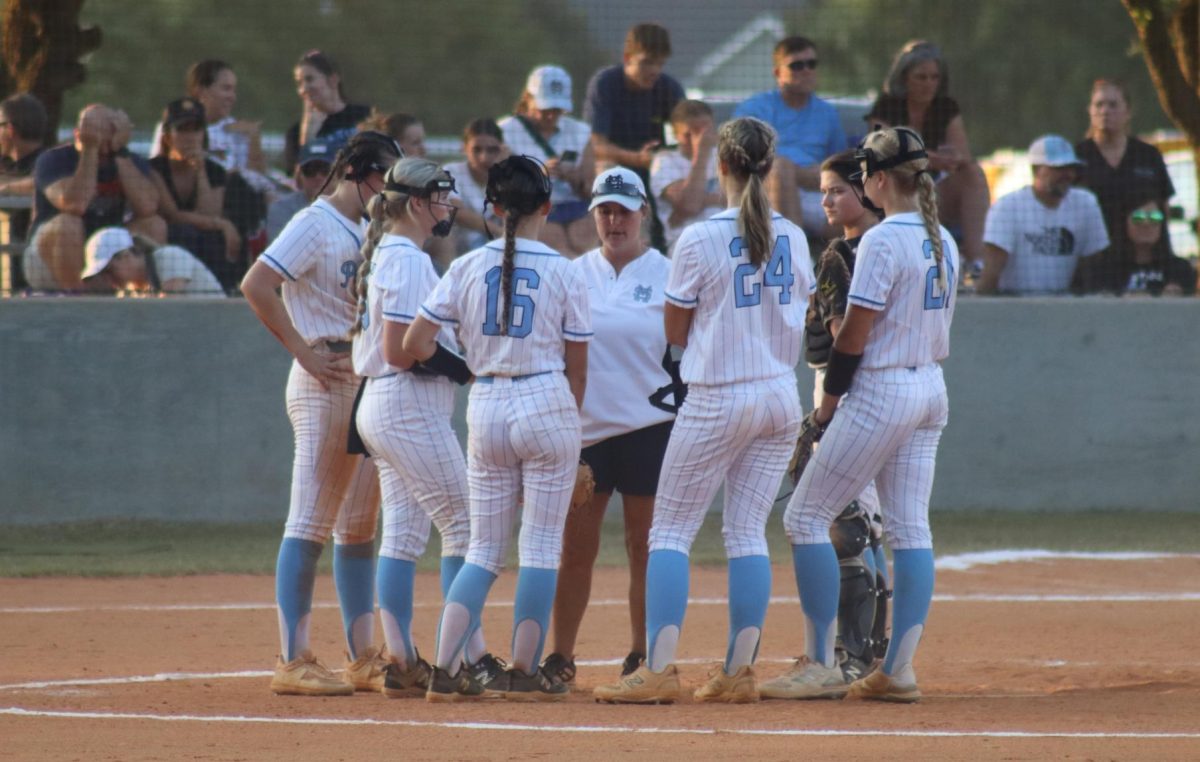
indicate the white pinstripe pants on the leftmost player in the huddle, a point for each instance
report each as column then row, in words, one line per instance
column 328, row 485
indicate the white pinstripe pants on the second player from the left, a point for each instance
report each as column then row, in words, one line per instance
column 405, row 422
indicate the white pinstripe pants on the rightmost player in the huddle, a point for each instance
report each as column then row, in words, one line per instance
column 887, row 429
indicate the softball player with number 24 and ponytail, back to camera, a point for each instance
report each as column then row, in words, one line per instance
column 736, row 299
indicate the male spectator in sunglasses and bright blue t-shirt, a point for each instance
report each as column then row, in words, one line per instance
column 809, row 131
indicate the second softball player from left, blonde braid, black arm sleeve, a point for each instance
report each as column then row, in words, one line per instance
column 406, row 407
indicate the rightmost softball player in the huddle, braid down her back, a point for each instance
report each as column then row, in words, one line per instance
column 887, row 358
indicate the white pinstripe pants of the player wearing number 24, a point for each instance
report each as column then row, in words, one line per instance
column 742, row 435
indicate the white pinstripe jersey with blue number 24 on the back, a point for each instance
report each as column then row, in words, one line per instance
column 748, row 321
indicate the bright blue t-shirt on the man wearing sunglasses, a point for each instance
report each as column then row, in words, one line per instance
column 807, row 136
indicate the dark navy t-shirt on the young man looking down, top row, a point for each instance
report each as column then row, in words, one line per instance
column 627, row 117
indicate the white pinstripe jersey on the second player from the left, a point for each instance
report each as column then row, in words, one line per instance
column 401, row 278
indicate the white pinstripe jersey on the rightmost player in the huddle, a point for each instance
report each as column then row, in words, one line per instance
column 896, row 273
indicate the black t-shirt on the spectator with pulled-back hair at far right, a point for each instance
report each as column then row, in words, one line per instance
column 1141, row 170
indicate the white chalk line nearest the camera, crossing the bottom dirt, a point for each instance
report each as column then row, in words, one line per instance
column 587, row 729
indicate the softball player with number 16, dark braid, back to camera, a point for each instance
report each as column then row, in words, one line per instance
column 523, row 313
